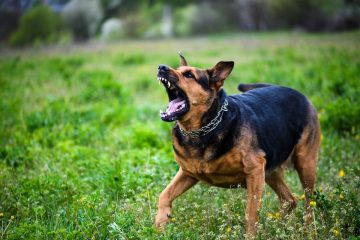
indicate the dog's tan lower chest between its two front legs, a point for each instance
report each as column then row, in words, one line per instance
column 225, row 171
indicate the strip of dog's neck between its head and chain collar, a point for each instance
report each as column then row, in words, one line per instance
column 210, row 114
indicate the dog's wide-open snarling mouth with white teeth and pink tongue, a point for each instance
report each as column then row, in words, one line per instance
column 178, row 103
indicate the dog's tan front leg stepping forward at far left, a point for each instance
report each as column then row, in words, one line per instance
column 180, row 183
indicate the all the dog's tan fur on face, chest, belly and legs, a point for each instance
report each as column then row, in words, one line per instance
column 243, row 165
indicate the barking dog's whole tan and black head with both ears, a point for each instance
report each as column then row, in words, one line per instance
column 191, row 90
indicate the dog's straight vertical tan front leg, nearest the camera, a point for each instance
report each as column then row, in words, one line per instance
column 255, row 181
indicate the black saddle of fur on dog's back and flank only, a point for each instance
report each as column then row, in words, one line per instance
column 278, row 115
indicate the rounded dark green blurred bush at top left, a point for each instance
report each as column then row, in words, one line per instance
column 38, row 24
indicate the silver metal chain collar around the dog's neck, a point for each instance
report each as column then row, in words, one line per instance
column 209, row 127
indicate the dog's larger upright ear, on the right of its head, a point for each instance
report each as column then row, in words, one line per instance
column 219, row 73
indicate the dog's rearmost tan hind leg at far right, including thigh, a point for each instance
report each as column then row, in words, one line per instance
column 305, row 159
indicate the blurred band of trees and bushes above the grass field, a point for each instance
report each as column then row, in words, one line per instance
column 29, row 22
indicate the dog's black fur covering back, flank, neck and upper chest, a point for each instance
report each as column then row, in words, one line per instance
column 277, row 116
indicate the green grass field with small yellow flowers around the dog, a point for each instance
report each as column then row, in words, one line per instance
column 84, row 154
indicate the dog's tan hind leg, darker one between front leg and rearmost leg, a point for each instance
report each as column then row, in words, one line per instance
column 275, row 180
